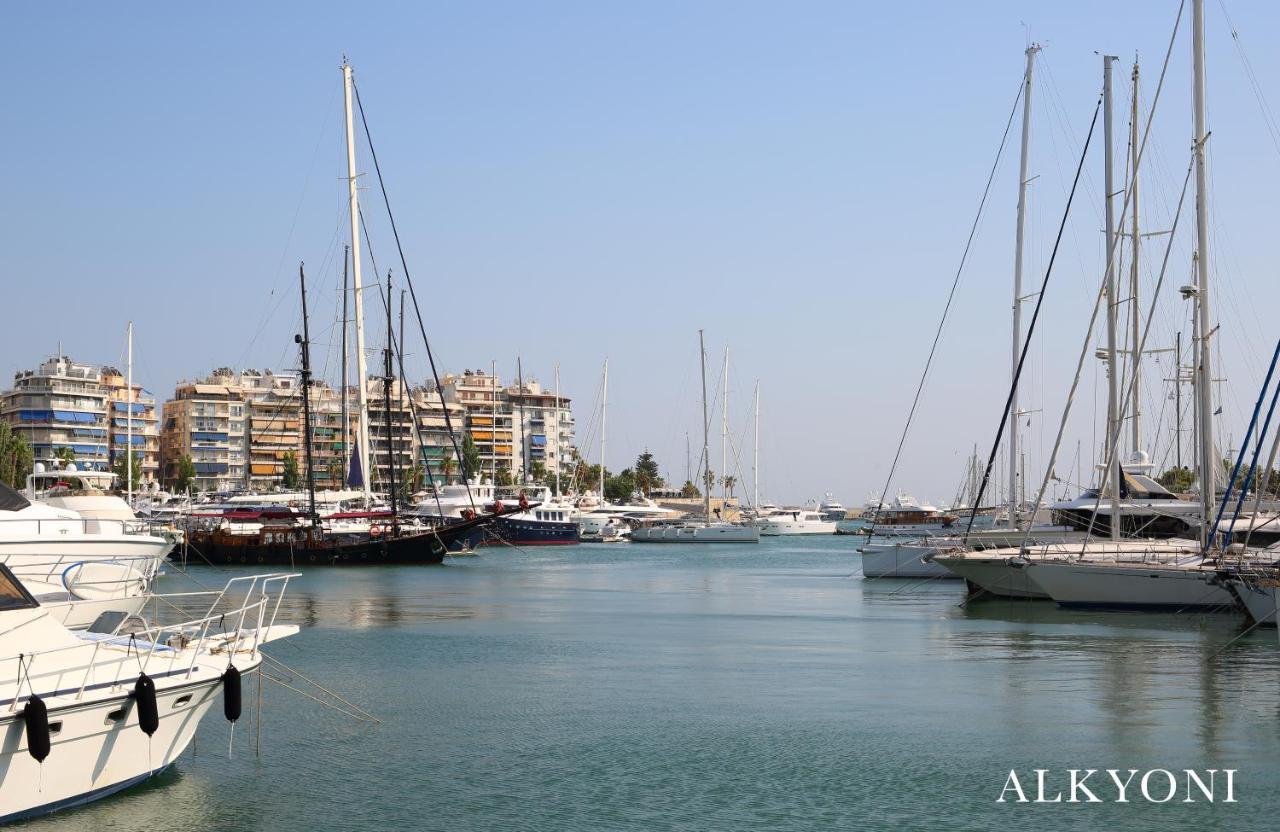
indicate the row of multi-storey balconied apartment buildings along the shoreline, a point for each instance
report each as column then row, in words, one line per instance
column 243, row 431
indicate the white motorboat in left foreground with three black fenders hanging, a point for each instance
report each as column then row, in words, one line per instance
column 89, row 715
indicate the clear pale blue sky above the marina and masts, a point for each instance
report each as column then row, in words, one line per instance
column 579, row 181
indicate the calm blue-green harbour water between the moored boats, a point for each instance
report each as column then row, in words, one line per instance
column 641, row 688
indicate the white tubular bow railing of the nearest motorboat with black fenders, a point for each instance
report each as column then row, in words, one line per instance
column 164, row 648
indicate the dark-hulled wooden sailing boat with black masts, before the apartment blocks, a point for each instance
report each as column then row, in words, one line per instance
column 284, row 541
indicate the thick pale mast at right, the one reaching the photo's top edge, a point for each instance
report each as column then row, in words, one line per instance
column 1204, row 386
